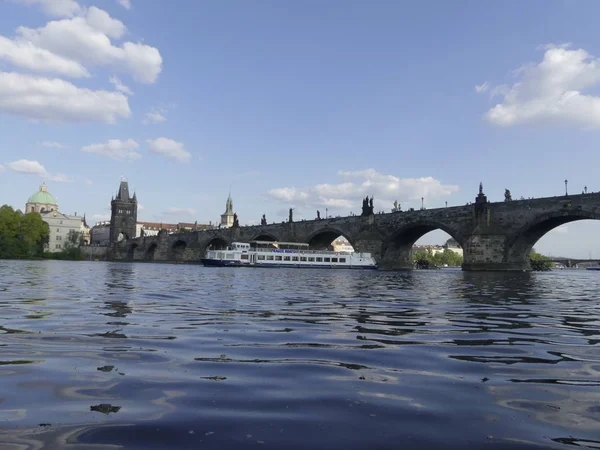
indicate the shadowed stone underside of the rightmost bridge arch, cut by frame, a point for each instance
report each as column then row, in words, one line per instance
column 520, row 244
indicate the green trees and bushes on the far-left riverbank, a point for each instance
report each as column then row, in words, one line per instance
column 23, row 236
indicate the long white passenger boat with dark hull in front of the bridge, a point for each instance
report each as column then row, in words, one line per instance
column 286, row 254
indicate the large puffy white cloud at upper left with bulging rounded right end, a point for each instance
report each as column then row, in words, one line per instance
column 86, row 40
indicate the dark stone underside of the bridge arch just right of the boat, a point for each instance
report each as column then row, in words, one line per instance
column 397, row 249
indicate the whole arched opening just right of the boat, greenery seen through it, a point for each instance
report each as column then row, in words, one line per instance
column 422, row 246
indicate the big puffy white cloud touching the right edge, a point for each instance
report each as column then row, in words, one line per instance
column 551, row 91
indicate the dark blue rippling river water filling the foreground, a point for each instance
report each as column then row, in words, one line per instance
column 155, row 356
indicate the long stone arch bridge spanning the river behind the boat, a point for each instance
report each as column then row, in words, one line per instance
column 494, row 236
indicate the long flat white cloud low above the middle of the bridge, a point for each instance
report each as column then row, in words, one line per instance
column 354, row 186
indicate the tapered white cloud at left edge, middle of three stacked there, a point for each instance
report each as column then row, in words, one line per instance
column 24, row 54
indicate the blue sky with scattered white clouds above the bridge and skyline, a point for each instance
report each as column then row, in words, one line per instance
column 311, row 105
